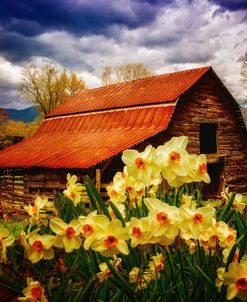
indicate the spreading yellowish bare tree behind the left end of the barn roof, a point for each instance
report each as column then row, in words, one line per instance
column 46, row 87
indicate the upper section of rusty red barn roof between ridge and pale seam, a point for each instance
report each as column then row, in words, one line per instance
column 151, row 90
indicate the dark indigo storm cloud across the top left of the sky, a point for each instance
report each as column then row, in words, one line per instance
column 78, row 17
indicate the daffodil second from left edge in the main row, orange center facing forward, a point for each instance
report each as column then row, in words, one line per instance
column 40, row 247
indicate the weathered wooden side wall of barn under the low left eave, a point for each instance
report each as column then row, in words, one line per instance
column 19, row 187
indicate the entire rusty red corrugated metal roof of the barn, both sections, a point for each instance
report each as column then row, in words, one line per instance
column 99, row 123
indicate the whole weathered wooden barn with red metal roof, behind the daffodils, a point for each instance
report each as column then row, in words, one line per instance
column 86, row 134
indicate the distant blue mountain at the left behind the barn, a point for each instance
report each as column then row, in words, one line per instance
column 25, row 115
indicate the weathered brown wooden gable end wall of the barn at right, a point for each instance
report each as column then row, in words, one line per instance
column 207, row 102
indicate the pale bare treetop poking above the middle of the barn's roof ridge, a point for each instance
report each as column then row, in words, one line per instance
column 123, row 73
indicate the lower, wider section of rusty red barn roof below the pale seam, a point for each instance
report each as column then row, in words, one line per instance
column 61, row 143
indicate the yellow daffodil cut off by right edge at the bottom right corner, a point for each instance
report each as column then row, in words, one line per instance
column 236, row 280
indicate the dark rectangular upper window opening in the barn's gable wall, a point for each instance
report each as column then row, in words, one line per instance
column 208, row 138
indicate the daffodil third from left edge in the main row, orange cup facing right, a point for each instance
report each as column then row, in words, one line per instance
column 67, row 235
